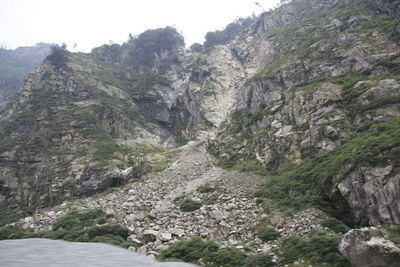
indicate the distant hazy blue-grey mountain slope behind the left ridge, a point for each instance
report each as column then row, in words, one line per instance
column 15, row 64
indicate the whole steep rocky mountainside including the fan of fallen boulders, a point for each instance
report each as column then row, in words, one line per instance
column 307, row 95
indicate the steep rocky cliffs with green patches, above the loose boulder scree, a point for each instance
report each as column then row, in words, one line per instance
column 303, row 83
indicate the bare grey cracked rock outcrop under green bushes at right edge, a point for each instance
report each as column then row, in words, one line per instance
column 371, row 194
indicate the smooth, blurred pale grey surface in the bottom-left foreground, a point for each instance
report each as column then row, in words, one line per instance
column 45, row 252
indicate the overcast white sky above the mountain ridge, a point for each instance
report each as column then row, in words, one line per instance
column 91, row 23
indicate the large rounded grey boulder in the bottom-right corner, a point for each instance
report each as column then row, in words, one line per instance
column 370, row 247
